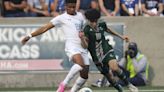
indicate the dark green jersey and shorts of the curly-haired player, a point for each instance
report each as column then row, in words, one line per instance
column 97, row 45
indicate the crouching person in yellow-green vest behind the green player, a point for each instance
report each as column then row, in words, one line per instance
column 135, row 65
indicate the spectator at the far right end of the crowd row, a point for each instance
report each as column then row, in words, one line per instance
column 152, row 7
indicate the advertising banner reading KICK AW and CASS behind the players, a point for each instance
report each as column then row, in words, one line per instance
column 45, row 52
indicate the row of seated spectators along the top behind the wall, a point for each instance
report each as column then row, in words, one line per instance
column 52, row 8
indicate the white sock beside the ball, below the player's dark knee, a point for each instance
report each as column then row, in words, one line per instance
column 78, row 84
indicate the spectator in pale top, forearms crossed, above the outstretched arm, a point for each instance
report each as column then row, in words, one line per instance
column 39, row 8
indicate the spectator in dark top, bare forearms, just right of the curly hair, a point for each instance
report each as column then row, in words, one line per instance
column 109, row 7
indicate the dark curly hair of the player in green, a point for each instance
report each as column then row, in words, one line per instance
column 92, row 15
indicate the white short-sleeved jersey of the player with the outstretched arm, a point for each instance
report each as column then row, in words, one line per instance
column 71, row 25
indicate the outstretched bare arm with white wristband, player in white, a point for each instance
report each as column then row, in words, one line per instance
column 39, row 31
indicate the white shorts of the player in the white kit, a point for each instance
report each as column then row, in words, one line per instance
column 71, row 52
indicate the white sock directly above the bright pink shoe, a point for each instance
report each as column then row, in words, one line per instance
column 74, row 70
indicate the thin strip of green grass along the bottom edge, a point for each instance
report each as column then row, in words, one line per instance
column 105, row 89
